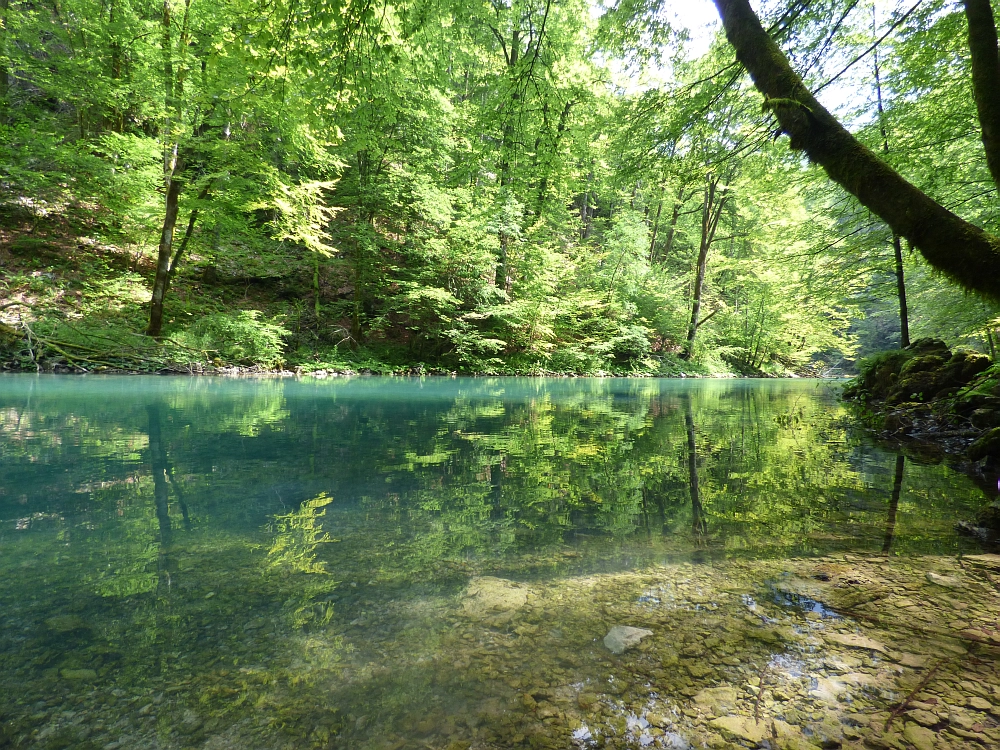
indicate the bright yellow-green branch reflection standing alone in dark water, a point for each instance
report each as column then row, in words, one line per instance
column 293, row 551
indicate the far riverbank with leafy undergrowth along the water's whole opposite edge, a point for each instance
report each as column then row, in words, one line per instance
column 75, row 299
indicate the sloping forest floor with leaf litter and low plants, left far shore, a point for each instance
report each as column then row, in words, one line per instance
column 72, row 303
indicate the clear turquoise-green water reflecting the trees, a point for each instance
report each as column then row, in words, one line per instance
column 413, row 563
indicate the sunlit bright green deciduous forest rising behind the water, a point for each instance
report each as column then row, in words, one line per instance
column 503, row 186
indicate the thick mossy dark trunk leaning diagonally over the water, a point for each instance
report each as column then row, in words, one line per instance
column 948, row 243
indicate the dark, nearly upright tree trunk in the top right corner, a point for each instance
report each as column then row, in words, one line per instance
column 986, row 78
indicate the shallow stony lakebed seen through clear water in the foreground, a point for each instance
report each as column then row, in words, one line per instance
column 840, row 651
